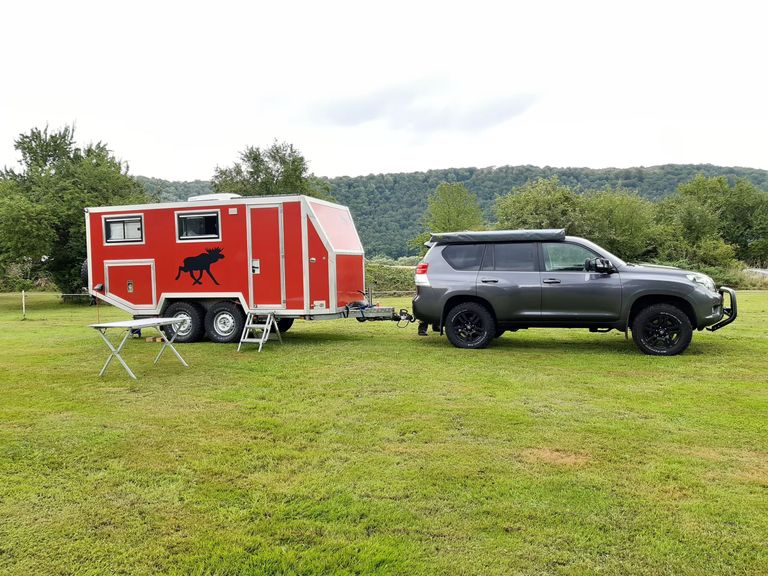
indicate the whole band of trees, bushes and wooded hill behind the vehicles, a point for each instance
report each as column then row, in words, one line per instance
column 705, row 217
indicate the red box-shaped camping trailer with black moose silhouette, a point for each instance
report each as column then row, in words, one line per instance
column 215, row 258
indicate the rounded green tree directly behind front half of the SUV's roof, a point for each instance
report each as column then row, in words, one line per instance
column 542, row 203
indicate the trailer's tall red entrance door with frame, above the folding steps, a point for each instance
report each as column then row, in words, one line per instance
column 267, row 268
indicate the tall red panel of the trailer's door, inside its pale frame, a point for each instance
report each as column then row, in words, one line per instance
column 265, row 247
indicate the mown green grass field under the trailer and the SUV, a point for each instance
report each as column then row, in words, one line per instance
column 364, row 449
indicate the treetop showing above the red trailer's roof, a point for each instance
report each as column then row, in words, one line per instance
column 279, row 169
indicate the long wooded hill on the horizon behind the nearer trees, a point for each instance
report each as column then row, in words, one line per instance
column 387, row 207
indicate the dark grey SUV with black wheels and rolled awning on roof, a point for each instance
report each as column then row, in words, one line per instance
column 474, row 286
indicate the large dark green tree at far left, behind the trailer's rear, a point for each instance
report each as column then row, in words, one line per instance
column 41, row 205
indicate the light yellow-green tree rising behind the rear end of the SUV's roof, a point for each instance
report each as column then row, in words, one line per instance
column 450, row 208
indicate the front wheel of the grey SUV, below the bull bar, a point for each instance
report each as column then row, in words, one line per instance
column 662, row 330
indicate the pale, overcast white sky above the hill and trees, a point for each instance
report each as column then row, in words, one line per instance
column 178, row 88
